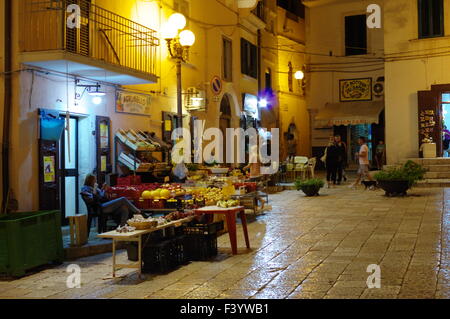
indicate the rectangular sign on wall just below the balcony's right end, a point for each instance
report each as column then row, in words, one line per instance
column 133, row 103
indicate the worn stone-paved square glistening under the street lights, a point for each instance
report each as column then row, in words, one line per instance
column 305, row 248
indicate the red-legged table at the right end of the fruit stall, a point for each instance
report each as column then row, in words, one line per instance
column 230, row 214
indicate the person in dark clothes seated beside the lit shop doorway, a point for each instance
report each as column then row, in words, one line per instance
column 122, row 209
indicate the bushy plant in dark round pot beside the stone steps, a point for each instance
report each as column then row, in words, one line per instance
column 397, row 181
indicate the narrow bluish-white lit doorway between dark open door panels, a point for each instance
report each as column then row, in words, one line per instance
column 69, row 169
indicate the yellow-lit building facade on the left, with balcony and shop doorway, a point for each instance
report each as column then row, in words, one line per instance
column 118, row 50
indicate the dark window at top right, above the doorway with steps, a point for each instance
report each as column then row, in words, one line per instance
column 431, row 21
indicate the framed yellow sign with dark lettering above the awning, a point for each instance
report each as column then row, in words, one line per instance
column 355, row 90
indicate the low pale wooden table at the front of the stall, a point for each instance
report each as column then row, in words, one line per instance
column 136, row 236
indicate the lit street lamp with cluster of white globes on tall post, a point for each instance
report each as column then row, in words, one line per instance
column 179, row 42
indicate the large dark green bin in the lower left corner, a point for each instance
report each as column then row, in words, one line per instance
column 29, row 240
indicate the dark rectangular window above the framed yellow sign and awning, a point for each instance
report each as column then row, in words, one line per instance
column 356, row 35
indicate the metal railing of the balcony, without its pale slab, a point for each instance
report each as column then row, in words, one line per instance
column 102, row 35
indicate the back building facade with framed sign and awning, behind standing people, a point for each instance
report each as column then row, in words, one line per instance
column 345, row 68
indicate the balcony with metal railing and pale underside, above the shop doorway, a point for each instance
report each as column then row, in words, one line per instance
column 105, row 47
